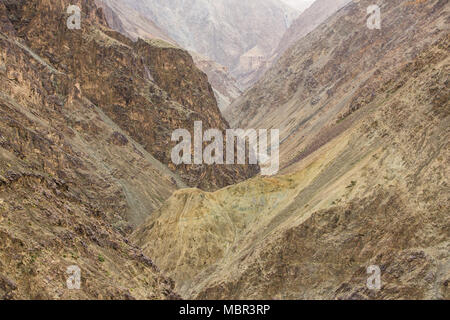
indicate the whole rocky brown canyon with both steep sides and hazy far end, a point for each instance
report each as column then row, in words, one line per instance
column 87, row 179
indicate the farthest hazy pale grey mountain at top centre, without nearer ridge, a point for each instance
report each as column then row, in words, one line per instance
column 239, row 35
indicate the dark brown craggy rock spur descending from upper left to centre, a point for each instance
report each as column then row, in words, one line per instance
column 148, row 88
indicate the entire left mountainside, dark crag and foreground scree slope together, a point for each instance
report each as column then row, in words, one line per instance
column 87, row 117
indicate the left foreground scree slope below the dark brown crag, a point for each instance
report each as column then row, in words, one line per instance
column 68, row 195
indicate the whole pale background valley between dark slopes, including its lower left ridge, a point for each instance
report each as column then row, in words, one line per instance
column 212, row 31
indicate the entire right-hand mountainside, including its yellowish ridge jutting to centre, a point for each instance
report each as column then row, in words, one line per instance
column 364, row 117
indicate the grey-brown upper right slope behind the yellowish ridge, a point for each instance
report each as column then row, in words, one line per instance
column 325, row 77
